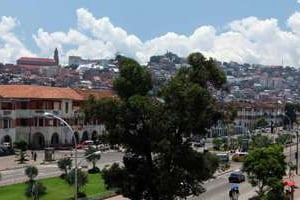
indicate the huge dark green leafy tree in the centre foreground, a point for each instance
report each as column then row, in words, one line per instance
column 159, row 162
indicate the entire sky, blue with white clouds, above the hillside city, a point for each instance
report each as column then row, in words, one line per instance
column 39, row 25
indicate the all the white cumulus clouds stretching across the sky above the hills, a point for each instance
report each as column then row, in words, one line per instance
column 249, row 40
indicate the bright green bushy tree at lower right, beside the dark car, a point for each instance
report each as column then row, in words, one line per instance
column 265, row 167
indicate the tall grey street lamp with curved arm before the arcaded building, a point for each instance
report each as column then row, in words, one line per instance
column 50, row 115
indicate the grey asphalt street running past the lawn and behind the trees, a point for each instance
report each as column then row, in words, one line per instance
column 216, row 189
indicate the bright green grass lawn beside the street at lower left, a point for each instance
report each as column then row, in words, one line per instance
column 57, row 189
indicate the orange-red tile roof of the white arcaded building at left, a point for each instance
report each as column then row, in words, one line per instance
column 38, row 92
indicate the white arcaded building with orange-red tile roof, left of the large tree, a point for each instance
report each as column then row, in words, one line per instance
column 21, row 115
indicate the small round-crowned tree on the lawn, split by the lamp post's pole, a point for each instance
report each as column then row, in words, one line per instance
column 82, row 180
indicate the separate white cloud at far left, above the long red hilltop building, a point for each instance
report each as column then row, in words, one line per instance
column 11, row 47
